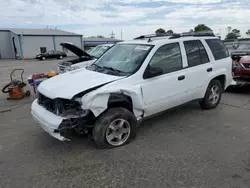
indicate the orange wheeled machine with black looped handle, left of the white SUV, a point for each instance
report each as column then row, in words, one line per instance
column 16, row 87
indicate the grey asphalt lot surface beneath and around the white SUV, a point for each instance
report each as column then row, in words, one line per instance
column 182, row 148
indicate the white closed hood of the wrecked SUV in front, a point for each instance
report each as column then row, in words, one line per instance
column 69, row 84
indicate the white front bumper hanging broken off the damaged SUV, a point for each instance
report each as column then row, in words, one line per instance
column 48, row 121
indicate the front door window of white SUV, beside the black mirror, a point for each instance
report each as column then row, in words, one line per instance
column 168, row 58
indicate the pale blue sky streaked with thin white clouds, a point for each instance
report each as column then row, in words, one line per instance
column 133, row 17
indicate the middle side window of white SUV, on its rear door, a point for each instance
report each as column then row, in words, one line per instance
column 196, row 53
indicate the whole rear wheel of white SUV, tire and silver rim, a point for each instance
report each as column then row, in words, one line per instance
column 213, row 95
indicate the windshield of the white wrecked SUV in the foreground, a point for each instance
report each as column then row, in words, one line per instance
column 123, row 58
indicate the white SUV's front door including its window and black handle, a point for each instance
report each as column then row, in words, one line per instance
column 167, row 90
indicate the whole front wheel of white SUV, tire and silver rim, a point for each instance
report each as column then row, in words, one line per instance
column 114, row 128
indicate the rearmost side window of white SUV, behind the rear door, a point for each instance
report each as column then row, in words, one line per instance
column 218, row 48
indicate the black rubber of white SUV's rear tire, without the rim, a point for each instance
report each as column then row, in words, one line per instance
column 206, row 103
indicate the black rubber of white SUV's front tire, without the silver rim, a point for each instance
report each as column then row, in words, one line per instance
column 103, row 122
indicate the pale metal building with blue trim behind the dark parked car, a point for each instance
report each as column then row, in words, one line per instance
column 26, row 43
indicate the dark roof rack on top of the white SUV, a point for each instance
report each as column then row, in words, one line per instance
column 177, row 35
